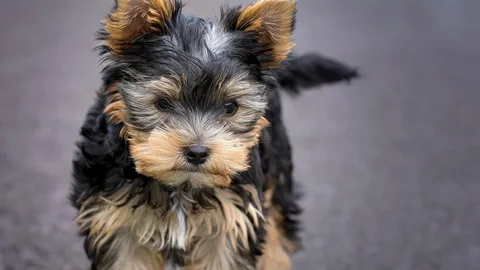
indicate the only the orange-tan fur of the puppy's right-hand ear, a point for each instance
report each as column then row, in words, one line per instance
column 272, row 19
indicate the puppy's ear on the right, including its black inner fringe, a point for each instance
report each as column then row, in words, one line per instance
column 271, row 21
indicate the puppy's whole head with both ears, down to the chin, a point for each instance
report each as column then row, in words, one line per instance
column 191, row 93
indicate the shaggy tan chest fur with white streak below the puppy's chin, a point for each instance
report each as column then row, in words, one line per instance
column 173, row 226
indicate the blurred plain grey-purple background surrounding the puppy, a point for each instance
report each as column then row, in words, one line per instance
column 390, row 163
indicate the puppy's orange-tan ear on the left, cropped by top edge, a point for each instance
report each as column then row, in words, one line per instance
column 130, row 19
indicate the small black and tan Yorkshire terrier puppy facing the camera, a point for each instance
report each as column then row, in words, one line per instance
column 184, row 160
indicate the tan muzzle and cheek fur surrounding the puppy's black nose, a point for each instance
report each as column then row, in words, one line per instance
column 159, row 154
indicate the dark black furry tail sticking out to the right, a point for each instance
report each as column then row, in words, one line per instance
column 311, row 70
